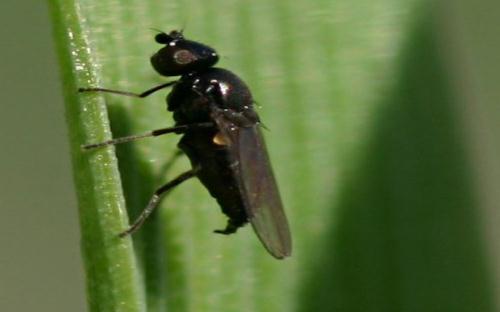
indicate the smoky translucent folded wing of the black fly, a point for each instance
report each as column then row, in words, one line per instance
column 262, row 199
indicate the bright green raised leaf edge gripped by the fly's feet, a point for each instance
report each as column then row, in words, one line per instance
column 110, row 266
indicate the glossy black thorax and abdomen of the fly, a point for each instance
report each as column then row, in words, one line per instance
column 191, row 102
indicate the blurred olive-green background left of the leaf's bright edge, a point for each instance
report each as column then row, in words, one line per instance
column 40, row 262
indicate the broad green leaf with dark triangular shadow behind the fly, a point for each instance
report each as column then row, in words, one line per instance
column 363, row 137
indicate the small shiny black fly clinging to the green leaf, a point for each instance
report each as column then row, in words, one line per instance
column 213, row 110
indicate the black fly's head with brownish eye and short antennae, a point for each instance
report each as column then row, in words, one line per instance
column 180, row 56
